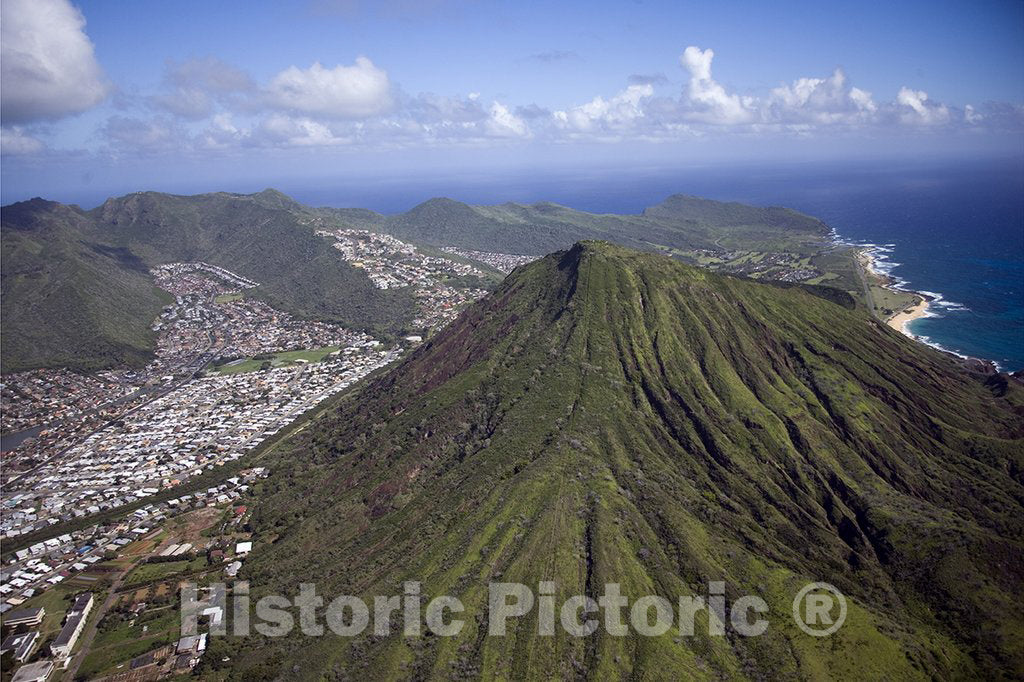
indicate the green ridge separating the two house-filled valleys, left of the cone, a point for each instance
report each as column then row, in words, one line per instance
column 261, row 237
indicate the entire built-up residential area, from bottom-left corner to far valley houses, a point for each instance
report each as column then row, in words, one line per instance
column 230, row 372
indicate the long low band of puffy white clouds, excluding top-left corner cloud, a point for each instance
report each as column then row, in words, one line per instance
column 209, row 105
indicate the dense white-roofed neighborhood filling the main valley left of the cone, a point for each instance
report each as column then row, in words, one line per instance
column 178, row 417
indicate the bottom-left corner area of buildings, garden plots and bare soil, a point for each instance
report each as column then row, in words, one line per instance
column 130, row 566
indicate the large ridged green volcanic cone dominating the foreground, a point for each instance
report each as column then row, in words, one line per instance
column 609, row 416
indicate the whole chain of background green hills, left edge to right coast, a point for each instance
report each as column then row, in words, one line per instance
column 77, row 291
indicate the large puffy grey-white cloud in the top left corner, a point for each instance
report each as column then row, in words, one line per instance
column 48, row 67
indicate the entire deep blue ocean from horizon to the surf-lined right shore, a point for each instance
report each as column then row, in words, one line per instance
column 953, row 230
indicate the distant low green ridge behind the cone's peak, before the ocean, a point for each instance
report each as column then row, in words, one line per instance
column 761, row 242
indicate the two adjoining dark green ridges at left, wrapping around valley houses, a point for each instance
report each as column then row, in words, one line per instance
column 77, row 291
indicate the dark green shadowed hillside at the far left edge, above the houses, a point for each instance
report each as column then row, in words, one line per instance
column 69, row 301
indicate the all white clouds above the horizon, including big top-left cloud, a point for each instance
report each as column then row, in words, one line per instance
column 208, row 104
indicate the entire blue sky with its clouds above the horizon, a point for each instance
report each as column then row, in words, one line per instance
column 106, row 97
